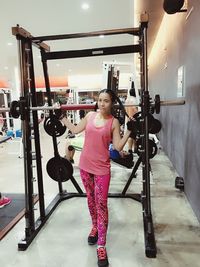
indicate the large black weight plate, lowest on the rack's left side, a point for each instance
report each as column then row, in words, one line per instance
column 59, row 169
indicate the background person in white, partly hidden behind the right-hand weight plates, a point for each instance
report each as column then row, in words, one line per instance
column 131, row 100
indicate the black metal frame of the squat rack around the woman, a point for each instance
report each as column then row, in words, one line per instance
column 28, row 99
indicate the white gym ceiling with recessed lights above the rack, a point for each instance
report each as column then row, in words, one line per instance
column 49, row 17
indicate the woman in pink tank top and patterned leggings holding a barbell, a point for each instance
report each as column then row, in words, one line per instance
column 100, row 129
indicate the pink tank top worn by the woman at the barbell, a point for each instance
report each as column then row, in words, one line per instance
column 94, row 157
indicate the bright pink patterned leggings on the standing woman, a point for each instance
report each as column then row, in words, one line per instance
column 96, row 187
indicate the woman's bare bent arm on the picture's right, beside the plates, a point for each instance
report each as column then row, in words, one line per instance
column 119, row 142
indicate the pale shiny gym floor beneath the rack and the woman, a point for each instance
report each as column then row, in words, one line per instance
column 62, row 242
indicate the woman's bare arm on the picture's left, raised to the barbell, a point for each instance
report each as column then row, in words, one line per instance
column 75, row 129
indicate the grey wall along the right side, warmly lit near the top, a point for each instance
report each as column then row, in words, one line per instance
column 177, row 44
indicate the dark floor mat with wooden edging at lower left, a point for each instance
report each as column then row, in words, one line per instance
column 12, row 213
